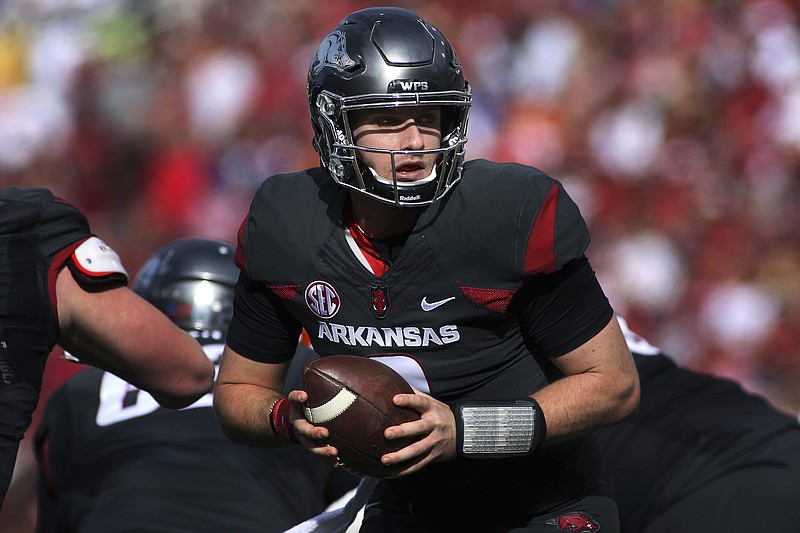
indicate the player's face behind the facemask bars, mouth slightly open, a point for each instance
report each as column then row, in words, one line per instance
column 401, row 128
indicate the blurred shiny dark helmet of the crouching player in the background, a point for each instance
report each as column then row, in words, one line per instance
column 192, row 281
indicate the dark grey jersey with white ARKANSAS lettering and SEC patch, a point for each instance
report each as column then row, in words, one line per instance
column 445, row 300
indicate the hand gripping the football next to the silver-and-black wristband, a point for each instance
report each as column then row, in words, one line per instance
column 435, row 434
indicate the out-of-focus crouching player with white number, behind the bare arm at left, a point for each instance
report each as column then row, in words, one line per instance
column 113, row 460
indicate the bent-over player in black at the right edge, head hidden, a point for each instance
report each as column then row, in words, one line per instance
column 701, row 454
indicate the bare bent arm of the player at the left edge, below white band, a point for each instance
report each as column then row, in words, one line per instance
column 120, row 332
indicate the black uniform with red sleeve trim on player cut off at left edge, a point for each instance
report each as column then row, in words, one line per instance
column 38, row 235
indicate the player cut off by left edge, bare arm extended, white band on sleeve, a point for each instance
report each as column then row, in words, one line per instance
column 59, row 283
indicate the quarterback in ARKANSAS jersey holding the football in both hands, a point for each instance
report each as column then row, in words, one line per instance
column 471, row 275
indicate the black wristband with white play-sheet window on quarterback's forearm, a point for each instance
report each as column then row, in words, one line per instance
column 498, row 429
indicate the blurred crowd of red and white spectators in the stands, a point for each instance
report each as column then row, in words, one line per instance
column 675, row 125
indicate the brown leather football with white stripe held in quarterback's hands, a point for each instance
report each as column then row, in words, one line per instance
column 351, row 396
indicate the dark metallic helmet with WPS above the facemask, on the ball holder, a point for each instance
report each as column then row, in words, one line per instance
column 387, row 57
